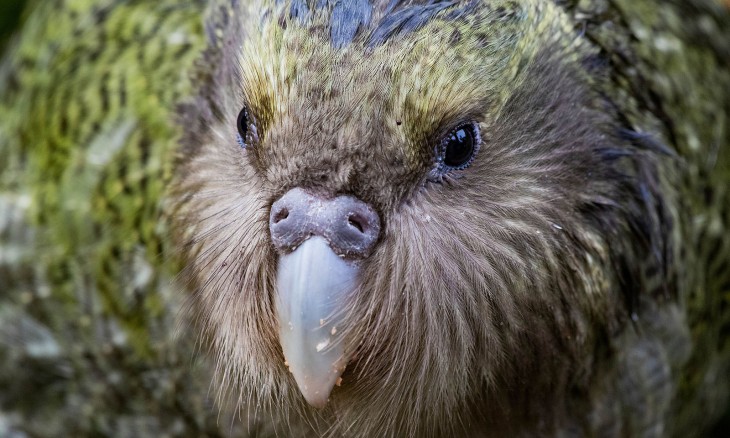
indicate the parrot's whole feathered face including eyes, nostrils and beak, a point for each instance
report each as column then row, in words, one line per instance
column 395, row 216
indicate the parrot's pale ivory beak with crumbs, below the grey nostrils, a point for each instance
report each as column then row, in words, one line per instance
column 313, row 285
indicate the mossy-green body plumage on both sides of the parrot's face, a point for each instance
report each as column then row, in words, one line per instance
column 88, row 139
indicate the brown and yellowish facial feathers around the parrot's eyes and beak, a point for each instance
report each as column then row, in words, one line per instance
column 489, row 289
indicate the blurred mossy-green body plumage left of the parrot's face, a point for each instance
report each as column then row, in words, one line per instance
column 87, row 310
